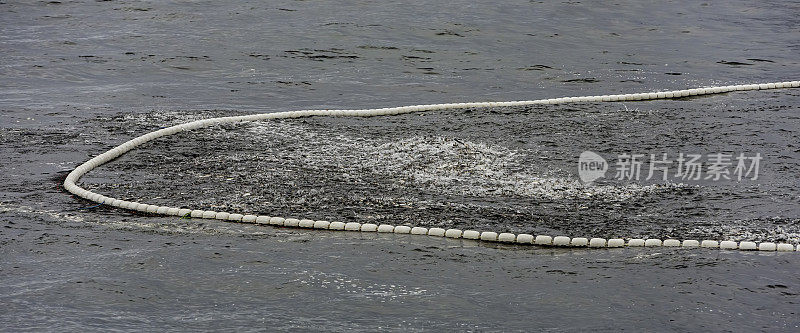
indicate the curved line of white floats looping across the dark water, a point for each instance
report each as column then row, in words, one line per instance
column 75, row 175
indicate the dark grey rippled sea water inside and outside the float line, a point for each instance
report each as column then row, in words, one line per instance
column 81, row 77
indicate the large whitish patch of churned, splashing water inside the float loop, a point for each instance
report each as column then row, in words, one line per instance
column 440, row 164
